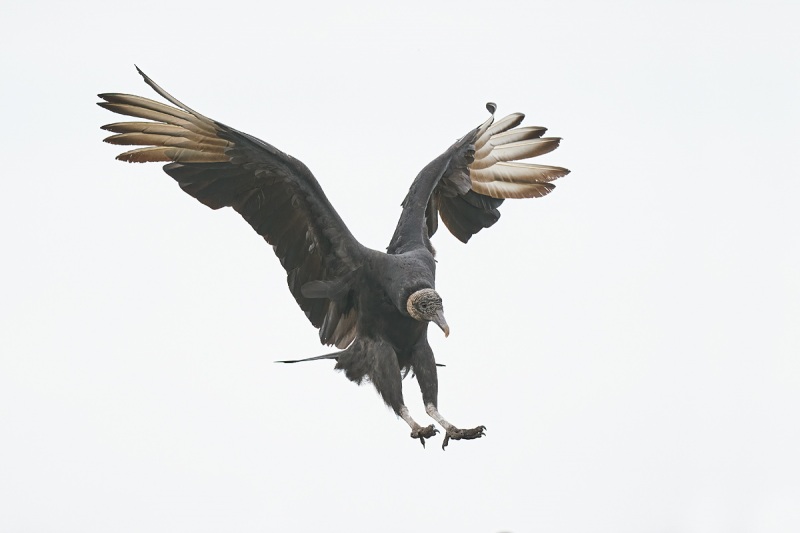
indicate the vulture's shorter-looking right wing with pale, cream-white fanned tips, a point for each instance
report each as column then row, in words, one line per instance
column 466, row 185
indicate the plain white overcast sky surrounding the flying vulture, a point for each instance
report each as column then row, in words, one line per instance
column 631, row 341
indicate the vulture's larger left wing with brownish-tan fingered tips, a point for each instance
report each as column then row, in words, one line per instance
column 274, row 192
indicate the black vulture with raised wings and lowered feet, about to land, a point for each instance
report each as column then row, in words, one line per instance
column 373, row 306
